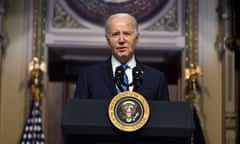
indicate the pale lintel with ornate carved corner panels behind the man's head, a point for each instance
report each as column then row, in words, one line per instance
column 163, row 30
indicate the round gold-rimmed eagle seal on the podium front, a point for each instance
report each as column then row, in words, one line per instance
column 128, row 111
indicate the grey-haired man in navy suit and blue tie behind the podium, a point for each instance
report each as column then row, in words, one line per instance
column 98, row 81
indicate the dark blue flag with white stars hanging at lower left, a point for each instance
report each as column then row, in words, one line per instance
column 33, row 132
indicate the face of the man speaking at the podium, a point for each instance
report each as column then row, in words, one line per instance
column 122, row 38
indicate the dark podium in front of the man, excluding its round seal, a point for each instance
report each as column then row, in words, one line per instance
column 86, row 121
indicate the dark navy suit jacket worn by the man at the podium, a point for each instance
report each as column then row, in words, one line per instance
column 97, row 82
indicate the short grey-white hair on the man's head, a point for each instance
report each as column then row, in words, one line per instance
column 120, row 15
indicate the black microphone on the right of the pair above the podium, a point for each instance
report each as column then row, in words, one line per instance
column 137, row 77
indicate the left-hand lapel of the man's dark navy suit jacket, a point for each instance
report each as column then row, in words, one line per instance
column 107, row 74
